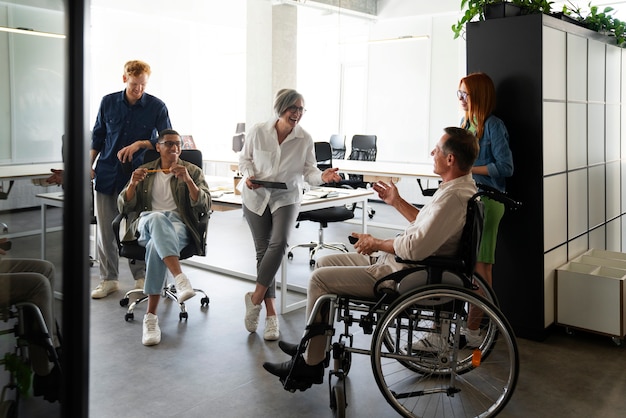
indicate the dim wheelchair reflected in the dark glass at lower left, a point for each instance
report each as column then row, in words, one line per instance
column 18, row 362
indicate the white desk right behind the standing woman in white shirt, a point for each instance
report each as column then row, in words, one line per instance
column 339, row 197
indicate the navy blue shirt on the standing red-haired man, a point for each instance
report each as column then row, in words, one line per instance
column 118, row 125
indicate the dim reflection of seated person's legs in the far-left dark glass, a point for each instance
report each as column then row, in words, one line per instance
column 25, row 280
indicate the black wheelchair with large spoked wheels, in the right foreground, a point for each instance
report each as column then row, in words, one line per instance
column 431, row 299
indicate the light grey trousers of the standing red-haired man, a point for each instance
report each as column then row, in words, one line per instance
column 108, row 255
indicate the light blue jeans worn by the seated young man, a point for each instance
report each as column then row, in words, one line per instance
column 163, row 234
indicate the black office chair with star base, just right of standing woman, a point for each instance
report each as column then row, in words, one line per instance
column 323, row 155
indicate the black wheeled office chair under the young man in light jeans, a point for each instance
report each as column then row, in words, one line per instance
column 134, row 251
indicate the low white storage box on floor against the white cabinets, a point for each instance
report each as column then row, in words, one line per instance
column 591, row 292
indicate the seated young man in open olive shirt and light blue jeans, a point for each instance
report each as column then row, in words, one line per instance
column 168, row 195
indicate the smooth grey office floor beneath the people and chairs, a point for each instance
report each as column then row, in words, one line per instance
column 209, row 366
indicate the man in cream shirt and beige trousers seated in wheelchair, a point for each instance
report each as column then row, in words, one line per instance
column 436, row 229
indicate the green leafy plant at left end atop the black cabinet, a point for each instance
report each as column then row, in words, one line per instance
column 489, row 9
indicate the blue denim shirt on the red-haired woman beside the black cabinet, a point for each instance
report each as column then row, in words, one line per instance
column 495, row 154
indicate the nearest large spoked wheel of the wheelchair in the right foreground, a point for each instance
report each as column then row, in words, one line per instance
column 447, row 379
